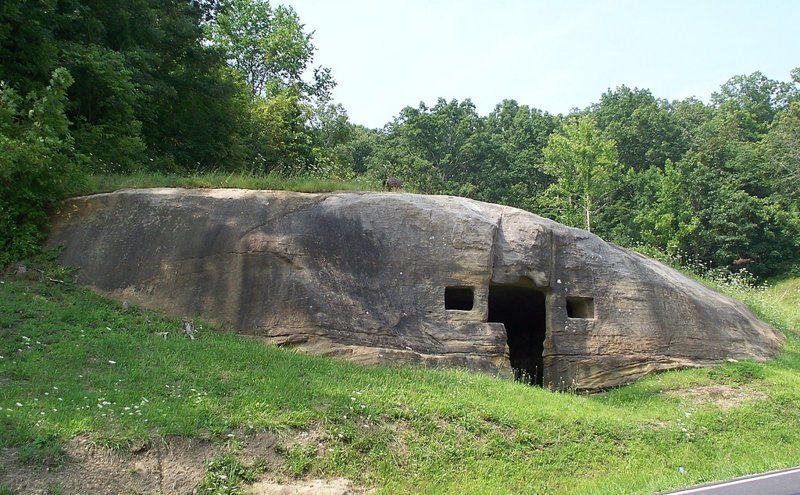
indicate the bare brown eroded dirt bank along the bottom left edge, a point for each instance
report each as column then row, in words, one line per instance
column 159, row 467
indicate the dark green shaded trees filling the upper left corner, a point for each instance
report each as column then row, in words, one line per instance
column 148, row 89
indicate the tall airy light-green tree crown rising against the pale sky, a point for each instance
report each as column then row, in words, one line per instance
column 269, row 49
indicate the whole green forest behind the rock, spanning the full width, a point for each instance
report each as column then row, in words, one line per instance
column 93, row 87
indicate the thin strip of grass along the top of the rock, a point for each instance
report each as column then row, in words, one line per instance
column 240, row 180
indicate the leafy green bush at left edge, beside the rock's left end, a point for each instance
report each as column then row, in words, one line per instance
column 38, row 164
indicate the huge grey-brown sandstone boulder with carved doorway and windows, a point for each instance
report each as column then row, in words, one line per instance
column 390, row 277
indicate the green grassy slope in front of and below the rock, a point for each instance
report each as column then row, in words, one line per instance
column 74, row 363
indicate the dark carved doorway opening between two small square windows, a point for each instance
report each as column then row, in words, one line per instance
column 520, row 308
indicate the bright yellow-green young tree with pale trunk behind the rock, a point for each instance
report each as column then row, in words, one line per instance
column 585, row 171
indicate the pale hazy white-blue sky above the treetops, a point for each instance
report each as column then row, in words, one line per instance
column 554, row 55
